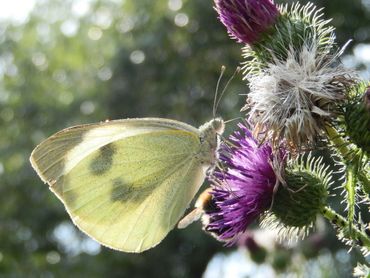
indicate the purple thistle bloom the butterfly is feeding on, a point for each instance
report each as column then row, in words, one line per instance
column 243, row 190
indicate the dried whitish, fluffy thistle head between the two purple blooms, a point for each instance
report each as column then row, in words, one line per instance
column 291, row 100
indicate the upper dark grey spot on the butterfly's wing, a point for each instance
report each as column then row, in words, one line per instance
column 103, row 162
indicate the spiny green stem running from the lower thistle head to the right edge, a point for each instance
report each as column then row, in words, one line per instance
column 356, row 236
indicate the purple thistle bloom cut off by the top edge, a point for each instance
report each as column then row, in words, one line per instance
column 246, row 20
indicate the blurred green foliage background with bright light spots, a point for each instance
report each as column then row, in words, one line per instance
column 74, row 62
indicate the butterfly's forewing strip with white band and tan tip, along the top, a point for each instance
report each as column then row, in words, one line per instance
column 63, row 150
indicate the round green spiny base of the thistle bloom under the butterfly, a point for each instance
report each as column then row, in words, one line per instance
column 298, row 202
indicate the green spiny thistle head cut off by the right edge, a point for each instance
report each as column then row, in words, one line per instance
column 356, row 115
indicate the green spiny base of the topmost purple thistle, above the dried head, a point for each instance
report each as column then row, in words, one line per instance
column 297, row 27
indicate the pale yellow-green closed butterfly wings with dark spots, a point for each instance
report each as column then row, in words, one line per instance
column 125, row 183
